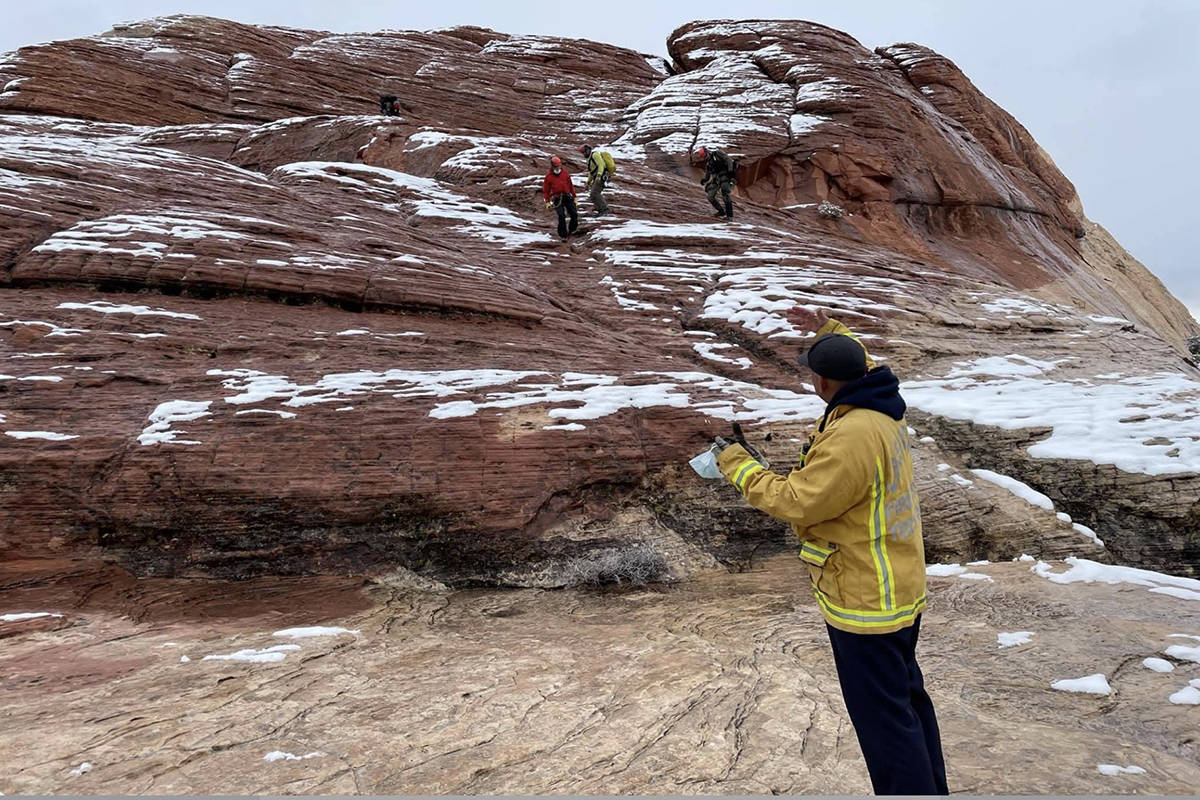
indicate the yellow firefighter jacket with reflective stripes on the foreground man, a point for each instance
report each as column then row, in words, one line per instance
column 853, row 504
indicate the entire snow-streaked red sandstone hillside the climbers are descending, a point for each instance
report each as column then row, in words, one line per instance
column 251, row 328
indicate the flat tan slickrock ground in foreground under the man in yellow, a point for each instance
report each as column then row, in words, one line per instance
column 724, row 685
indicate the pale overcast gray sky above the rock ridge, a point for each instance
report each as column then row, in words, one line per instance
column 1109, row 89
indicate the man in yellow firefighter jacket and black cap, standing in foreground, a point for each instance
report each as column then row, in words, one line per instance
column 853, row 504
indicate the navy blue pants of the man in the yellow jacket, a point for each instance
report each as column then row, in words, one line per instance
column 892, row 713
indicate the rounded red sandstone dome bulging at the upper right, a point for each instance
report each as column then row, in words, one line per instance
column 931, row 166
